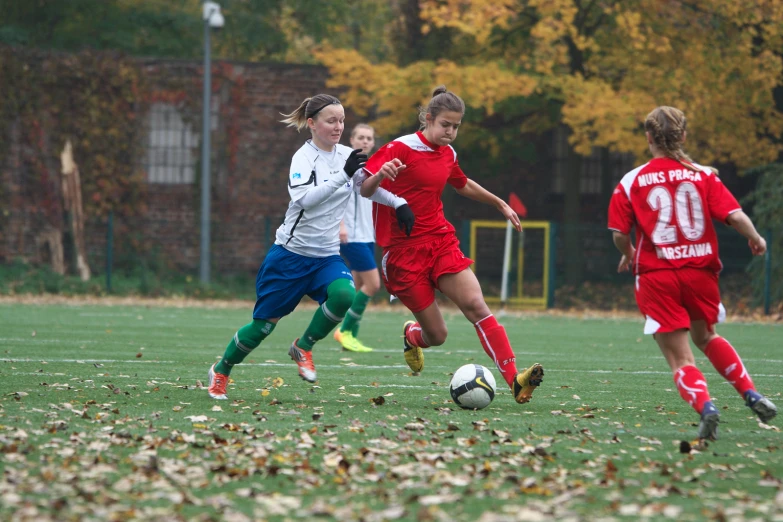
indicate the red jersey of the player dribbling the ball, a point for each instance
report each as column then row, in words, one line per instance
column 428, row 168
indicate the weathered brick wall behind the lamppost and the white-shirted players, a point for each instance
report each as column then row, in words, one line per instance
column 251, row 154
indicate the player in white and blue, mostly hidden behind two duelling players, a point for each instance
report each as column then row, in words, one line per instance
column 357, row 246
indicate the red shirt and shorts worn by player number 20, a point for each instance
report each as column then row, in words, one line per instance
column 673, row 208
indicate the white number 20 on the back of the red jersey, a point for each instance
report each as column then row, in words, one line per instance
column 687, row 207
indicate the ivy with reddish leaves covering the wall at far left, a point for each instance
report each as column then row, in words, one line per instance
column 91, row 99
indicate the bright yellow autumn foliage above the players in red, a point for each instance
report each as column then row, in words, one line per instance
column 607, row 64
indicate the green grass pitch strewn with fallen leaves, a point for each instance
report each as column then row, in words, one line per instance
column 103, row 417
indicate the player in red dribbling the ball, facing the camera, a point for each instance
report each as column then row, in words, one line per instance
column 417, row 261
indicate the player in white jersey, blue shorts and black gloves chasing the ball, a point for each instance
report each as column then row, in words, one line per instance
column 305, row 257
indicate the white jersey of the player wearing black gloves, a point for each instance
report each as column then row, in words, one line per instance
column 315, row 231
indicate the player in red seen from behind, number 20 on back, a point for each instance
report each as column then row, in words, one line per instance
column 671, row 201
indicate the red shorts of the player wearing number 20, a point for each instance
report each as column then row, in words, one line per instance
column 670, row 299
